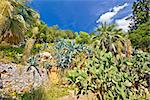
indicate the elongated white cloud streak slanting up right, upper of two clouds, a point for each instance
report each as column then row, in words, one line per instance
column 107, row 17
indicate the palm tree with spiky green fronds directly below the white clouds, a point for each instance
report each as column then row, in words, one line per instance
column 109, row 38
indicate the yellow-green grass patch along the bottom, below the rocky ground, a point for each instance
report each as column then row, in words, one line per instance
column 45, row 93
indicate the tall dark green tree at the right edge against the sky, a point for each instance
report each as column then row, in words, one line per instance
column 140, row 30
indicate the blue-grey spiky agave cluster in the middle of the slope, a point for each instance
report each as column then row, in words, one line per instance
column 66, row 50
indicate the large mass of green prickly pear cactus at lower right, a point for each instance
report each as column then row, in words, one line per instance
column 111, row 78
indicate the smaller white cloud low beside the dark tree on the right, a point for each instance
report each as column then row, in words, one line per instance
column 123, row 23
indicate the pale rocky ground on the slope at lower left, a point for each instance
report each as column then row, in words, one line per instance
column 16, row 79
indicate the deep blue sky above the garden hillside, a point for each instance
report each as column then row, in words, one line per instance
column 79, row 15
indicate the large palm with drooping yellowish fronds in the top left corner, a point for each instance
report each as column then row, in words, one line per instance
column 15, row 18
